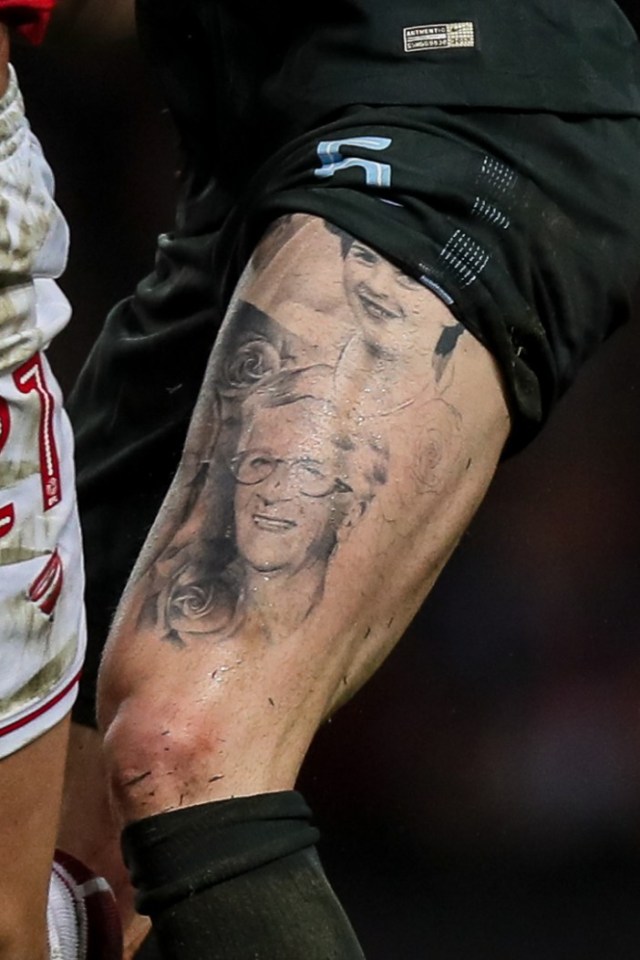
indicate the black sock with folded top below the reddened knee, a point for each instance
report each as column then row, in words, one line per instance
column 237, row 880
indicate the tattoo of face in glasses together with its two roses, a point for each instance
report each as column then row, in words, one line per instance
column 287, row 481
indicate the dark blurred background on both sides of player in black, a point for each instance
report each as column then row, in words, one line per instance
column 481, row 797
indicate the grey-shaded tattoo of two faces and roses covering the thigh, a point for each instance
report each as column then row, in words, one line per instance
column 295, row 449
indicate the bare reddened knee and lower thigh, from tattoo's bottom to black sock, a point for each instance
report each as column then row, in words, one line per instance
column 197, row 724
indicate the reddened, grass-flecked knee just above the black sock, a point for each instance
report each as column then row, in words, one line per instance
column 166, row 752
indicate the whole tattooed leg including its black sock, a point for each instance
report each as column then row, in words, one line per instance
column 337, row 453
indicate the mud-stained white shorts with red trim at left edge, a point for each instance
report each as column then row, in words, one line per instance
column 42, row 630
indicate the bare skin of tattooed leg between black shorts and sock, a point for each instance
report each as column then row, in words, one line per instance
column 212, row 685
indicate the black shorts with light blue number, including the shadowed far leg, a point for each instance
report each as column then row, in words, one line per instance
column 526, row 224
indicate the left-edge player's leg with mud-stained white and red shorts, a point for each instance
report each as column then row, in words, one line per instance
column 42, row 913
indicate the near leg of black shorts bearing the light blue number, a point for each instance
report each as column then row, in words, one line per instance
column 526, row 225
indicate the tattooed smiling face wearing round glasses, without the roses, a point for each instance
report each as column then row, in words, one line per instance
column 300, row 482
